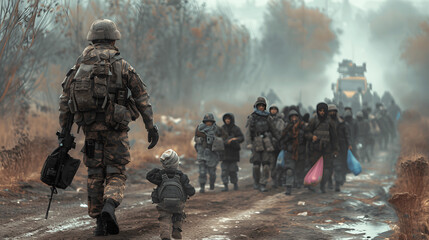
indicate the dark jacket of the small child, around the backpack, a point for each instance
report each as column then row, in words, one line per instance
column 155, row 176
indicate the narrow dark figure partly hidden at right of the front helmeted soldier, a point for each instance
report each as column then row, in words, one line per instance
column 279, row 125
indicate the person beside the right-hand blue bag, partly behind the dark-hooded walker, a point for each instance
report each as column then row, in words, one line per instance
column 340, row 163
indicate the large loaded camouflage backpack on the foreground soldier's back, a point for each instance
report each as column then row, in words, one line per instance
column 97, row 92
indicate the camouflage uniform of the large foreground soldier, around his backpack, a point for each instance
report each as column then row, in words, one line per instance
column 106, row 166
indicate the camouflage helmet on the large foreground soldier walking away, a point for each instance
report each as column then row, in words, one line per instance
column 103, row 29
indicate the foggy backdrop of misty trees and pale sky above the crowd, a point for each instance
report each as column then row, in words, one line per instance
column 197, row 51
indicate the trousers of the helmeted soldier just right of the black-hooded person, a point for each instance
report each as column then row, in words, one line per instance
column 261, row 159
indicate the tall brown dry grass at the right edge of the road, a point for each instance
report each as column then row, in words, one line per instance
column 410, row 197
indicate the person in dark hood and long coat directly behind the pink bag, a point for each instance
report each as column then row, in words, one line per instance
column 322, row 136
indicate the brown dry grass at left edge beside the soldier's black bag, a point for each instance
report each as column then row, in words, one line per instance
column 26, row 140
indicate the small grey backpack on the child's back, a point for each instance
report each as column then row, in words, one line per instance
column 171, row 194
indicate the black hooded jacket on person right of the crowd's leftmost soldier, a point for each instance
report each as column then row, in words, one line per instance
column 232, row 150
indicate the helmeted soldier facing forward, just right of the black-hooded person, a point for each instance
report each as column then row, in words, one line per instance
column 259, row 136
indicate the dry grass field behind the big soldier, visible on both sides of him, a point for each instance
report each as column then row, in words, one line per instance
column 28, row 138
